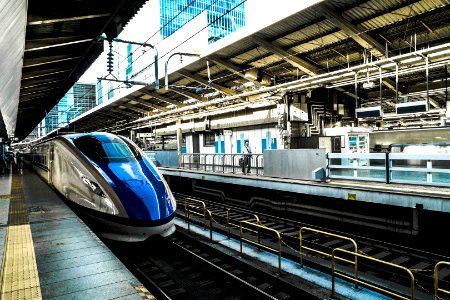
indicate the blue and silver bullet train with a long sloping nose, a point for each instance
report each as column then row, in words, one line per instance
column 111, row 180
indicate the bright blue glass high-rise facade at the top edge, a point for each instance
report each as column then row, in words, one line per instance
column 224, row 16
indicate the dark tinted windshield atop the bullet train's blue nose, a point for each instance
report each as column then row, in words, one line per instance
column 104, row 149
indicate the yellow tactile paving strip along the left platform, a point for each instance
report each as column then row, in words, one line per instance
column 19, row 279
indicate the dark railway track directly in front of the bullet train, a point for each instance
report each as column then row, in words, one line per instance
column 181, row 267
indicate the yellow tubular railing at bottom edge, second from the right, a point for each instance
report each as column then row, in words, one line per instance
column 356, row 280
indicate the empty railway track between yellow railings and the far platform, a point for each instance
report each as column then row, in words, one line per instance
column 226, row 219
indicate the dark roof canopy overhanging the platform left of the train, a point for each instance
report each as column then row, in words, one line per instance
column 60, row 44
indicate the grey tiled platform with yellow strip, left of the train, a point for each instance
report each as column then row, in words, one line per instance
column 47, row 252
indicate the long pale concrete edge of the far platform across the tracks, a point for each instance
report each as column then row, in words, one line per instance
column 431, row 198
